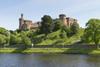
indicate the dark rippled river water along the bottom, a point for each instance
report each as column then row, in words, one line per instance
column 48, row 60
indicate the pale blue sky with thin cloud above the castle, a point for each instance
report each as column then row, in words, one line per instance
column 82, row 10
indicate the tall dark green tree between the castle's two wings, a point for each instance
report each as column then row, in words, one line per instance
column 46, row 24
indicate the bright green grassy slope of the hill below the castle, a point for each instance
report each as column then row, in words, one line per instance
column 54, row 38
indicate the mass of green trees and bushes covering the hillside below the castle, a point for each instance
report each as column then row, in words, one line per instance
column 50, row 32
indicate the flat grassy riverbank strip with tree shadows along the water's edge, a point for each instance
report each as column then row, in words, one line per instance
column 51, row 50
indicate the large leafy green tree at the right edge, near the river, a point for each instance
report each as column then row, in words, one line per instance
column 92, row 31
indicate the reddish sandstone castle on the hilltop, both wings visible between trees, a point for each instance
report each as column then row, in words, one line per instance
column 28, row 24
